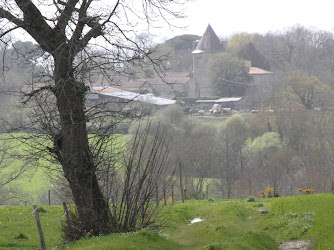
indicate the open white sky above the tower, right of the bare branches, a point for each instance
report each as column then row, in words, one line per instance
column 228, row 17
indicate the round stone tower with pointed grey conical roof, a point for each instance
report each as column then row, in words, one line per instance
column 209, row 45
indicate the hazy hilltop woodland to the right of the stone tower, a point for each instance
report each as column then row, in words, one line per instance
column 300, row 58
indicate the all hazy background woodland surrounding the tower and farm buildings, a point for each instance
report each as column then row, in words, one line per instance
column 287, row 145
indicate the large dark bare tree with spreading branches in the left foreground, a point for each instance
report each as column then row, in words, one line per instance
column 64, row 31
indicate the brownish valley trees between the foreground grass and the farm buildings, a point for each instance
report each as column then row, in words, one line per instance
column 288, row 148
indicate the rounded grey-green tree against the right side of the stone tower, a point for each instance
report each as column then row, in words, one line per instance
column 229, row 74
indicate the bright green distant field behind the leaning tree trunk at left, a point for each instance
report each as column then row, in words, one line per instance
column 33, row 185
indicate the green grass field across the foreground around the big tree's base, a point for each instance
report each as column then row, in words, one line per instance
column 227, row 224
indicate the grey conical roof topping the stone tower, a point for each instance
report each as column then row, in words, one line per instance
column 209, row 42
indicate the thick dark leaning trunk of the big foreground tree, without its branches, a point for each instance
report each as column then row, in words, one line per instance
column 74, row 152
